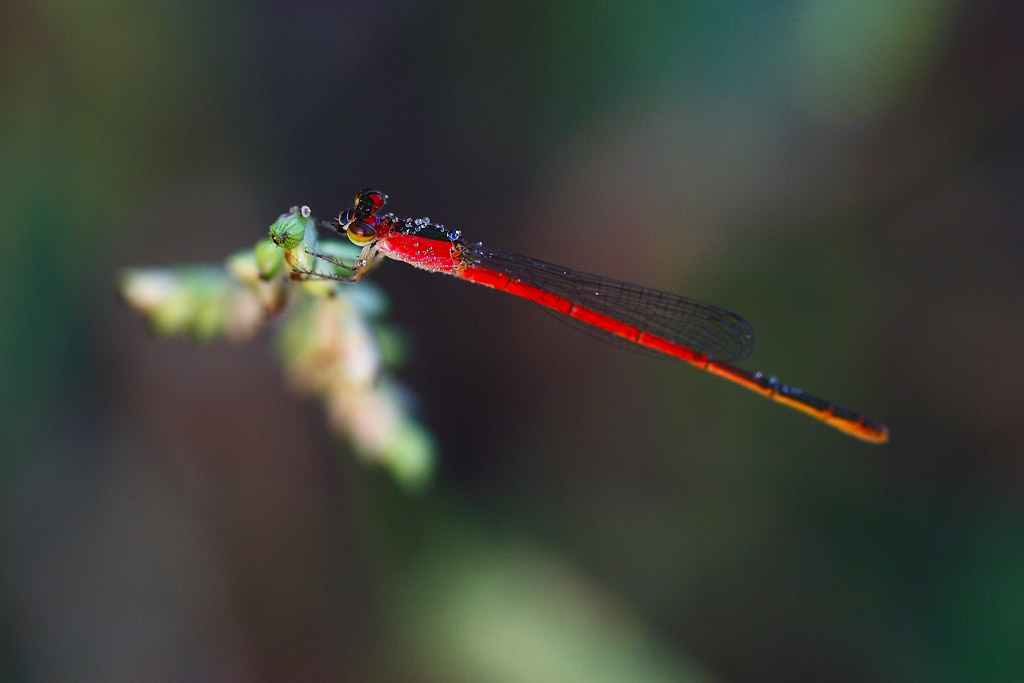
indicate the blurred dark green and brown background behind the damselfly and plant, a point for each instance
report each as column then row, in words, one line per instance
column 847, row 176
